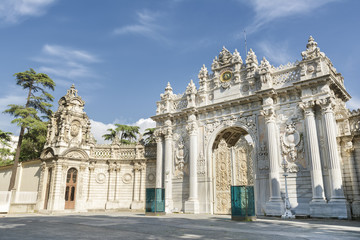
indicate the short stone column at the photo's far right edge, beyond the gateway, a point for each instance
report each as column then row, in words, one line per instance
column 348, row 152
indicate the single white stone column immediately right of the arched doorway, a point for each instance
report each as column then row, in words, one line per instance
column 275, row 206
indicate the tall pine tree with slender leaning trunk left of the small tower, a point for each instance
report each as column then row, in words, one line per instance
column 26, row 116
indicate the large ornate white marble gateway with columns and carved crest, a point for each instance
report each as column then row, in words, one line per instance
column 261, row 115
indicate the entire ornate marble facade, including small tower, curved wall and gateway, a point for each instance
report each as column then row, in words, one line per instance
column 242, row 122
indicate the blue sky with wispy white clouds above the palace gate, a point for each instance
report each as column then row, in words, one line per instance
column 121, row 54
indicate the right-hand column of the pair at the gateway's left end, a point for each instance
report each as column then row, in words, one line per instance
column 168, row 166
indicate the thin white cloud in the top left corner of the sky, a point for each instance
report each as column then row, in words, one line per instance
column 13, row 11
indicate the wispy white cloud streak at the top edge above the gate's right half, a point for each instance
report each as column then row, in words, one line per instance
column 267, row 11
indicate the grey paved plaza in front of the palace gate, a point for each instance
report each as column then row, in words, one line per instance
column 135, row 225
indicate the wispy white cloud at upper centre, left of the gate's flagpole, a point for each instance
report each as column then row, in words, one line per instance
column 147, row 25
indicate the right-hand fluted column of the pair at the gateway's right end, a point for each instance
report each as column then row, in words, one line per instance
column 339, row 207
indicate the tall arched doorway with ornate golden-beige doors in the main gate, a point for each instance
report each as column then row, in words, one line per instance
column 233, row 166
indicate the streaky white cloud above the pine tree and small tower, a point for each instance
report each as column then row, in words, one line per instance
column 65, row 62
